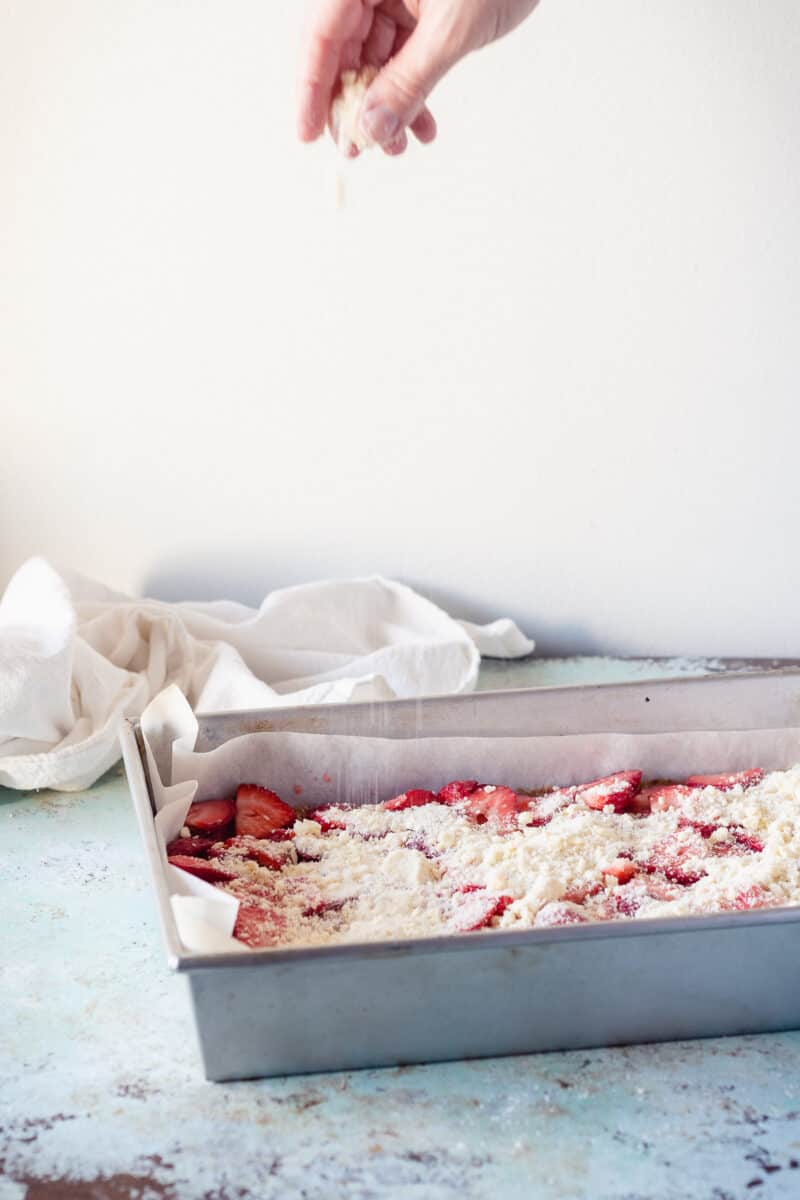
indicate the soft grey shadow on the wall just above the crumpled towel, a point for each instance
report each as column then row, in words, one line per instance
column 246, row 578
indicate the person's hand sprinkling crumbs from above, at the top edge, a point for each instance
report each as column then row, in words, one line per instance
column 412, row 43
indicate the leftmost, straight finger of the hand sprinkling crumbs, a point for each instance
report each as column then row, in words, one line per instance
column 332, row 26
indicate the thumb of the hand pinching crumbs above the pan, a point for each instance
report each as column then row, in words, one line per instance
column 398, row 97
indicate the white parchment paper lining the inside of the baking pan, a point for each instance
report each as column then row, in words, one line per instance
column 315, row 769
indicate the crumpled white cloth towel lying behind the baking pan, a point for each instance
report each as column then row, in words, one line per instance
column 77, row 658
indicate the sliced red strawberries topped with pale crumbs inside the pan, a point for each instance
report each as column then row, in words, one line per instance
column 473, row 856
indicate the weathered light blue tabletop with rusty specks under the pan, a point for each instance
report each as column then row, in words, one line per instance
column 103, row 1096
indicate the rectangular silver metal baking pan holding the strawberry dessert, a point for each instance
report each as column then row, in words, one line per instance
column 284, row 1012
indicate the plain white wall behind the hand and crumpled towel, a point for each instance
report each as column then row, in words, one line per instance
column 548, row 368
